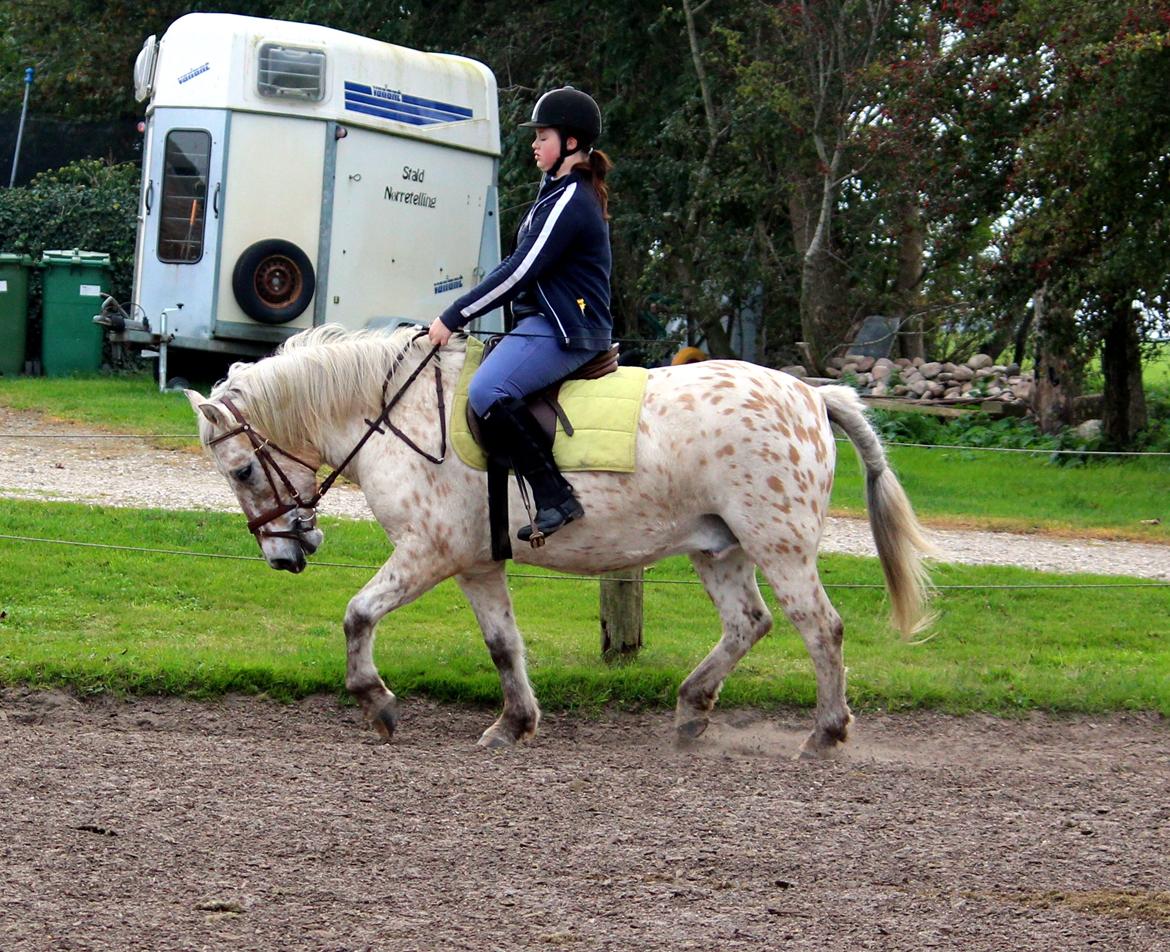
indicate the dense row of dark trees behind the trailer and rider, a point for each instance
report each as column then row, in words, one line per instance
column 944, row 162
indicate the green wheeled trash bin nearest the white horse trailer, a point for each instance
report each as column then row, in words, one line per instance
column 74, row 284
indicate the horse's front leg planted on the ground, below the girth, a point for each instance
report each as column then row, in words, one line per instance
column 487, row 591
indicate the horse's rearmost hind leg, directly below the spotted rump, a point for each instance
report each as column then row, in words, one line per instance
column 797, row 588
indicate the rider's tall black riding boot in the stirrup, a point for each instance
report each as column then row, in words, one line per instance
column 512, row 432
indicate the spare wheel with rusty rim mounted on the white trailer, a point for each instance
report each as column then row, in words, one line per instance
column 273, row 281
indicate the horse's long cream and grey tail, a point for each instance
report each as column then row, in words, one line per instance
column 897, row 533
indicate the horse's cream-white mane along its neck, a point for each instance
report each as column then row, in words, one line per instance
column 320, row 375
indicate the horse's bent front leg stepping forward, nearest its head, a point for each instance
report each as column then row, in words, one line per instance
column 400, row 582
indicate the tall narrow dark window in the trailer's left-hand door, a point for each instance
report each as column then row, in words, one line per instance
column 183, row 210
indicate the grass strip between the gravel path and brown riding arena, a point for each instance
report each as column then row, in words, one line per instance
column 100, row 619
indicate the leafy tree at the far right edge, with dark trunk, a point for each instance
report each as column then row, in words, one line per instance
column 1092, row 184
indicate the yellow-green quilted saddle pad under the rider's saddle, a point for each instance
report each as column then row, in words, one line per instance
column 604, row 416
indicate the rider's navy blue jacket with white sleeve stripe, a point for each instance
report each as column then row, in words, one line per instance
column 562, row 265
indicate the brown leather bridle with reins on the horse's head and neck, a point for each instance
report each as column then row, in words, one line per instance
column 264, row 450
